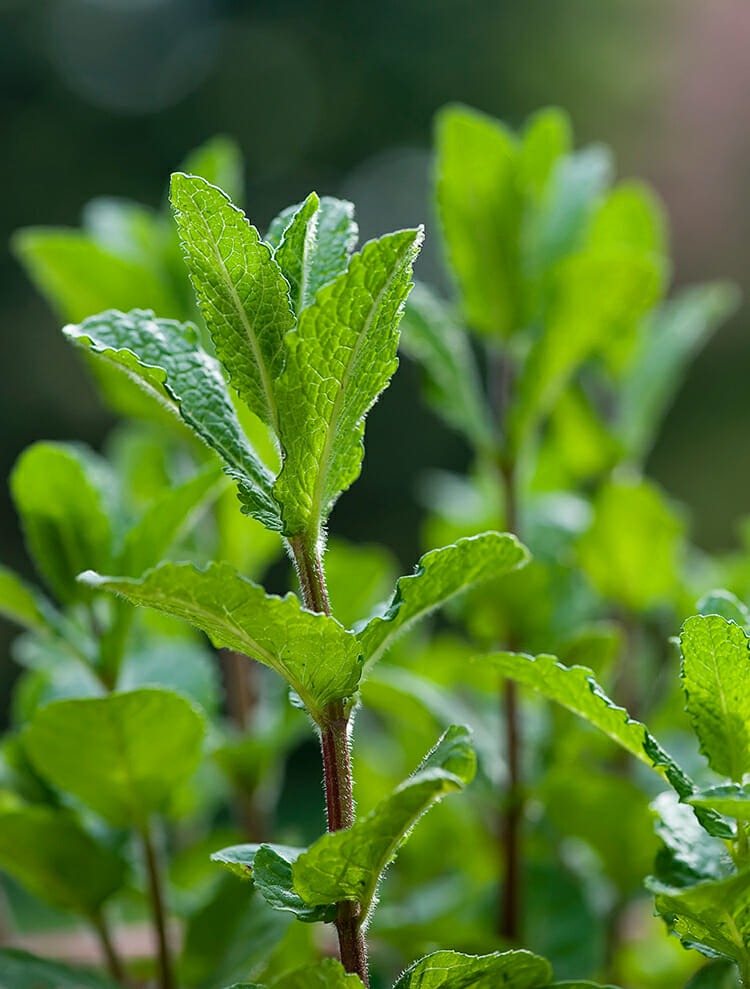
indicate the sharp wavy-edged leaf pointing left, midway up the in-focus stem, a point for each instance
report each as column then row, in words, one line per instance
column 316, row 656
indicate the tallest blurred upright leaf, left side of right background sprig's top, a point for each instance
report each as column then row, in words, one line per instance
column 480, row 209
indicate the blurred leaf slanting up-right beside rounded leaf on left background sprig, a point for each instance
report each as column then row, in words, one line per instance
column 171, row 511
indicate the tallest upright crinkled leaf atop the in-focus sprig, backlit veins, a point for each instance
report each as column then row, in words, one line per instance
column 241, row 290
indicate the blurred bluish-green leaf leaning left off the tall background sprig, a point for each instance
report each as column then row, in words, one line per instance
column 431, row 336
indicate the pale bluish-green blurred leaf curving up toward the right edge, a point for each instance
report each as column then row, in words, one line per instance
column 674, row 333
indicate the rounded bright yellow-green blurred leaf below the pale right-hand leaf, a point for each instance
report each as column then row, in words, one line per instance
column 631, row 552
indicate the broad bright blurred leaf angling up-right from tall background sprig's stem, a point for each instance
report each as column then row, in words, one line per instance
column 595, row 295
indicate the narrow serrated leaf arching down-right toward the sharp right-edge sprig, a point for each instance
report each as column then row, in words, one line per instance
column 575, row 688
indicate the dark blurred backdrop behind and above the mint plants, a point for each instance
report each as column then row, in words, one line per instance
column 105, row 97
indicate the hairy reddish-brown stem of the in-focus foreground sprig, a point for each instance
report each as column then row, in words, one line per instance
column 334, row 740
